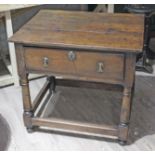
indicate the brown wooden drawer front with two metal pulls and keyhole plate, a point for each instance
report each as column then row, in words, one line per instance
column 78, row 63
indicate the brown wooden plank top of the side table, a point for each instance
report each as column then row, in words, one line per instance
column 83, row 30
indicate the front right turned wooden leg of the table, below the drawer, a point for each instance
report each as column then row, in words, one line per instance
column 125, row 115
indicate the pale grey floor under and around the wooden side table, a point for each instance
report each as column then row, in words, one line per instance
column 142, row 127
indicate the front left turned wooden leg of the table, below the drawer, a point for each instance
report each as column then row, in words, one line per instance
column 28, row 114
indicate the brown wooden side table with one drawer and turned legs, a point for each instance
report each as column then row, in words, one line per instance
column 79, row 46
